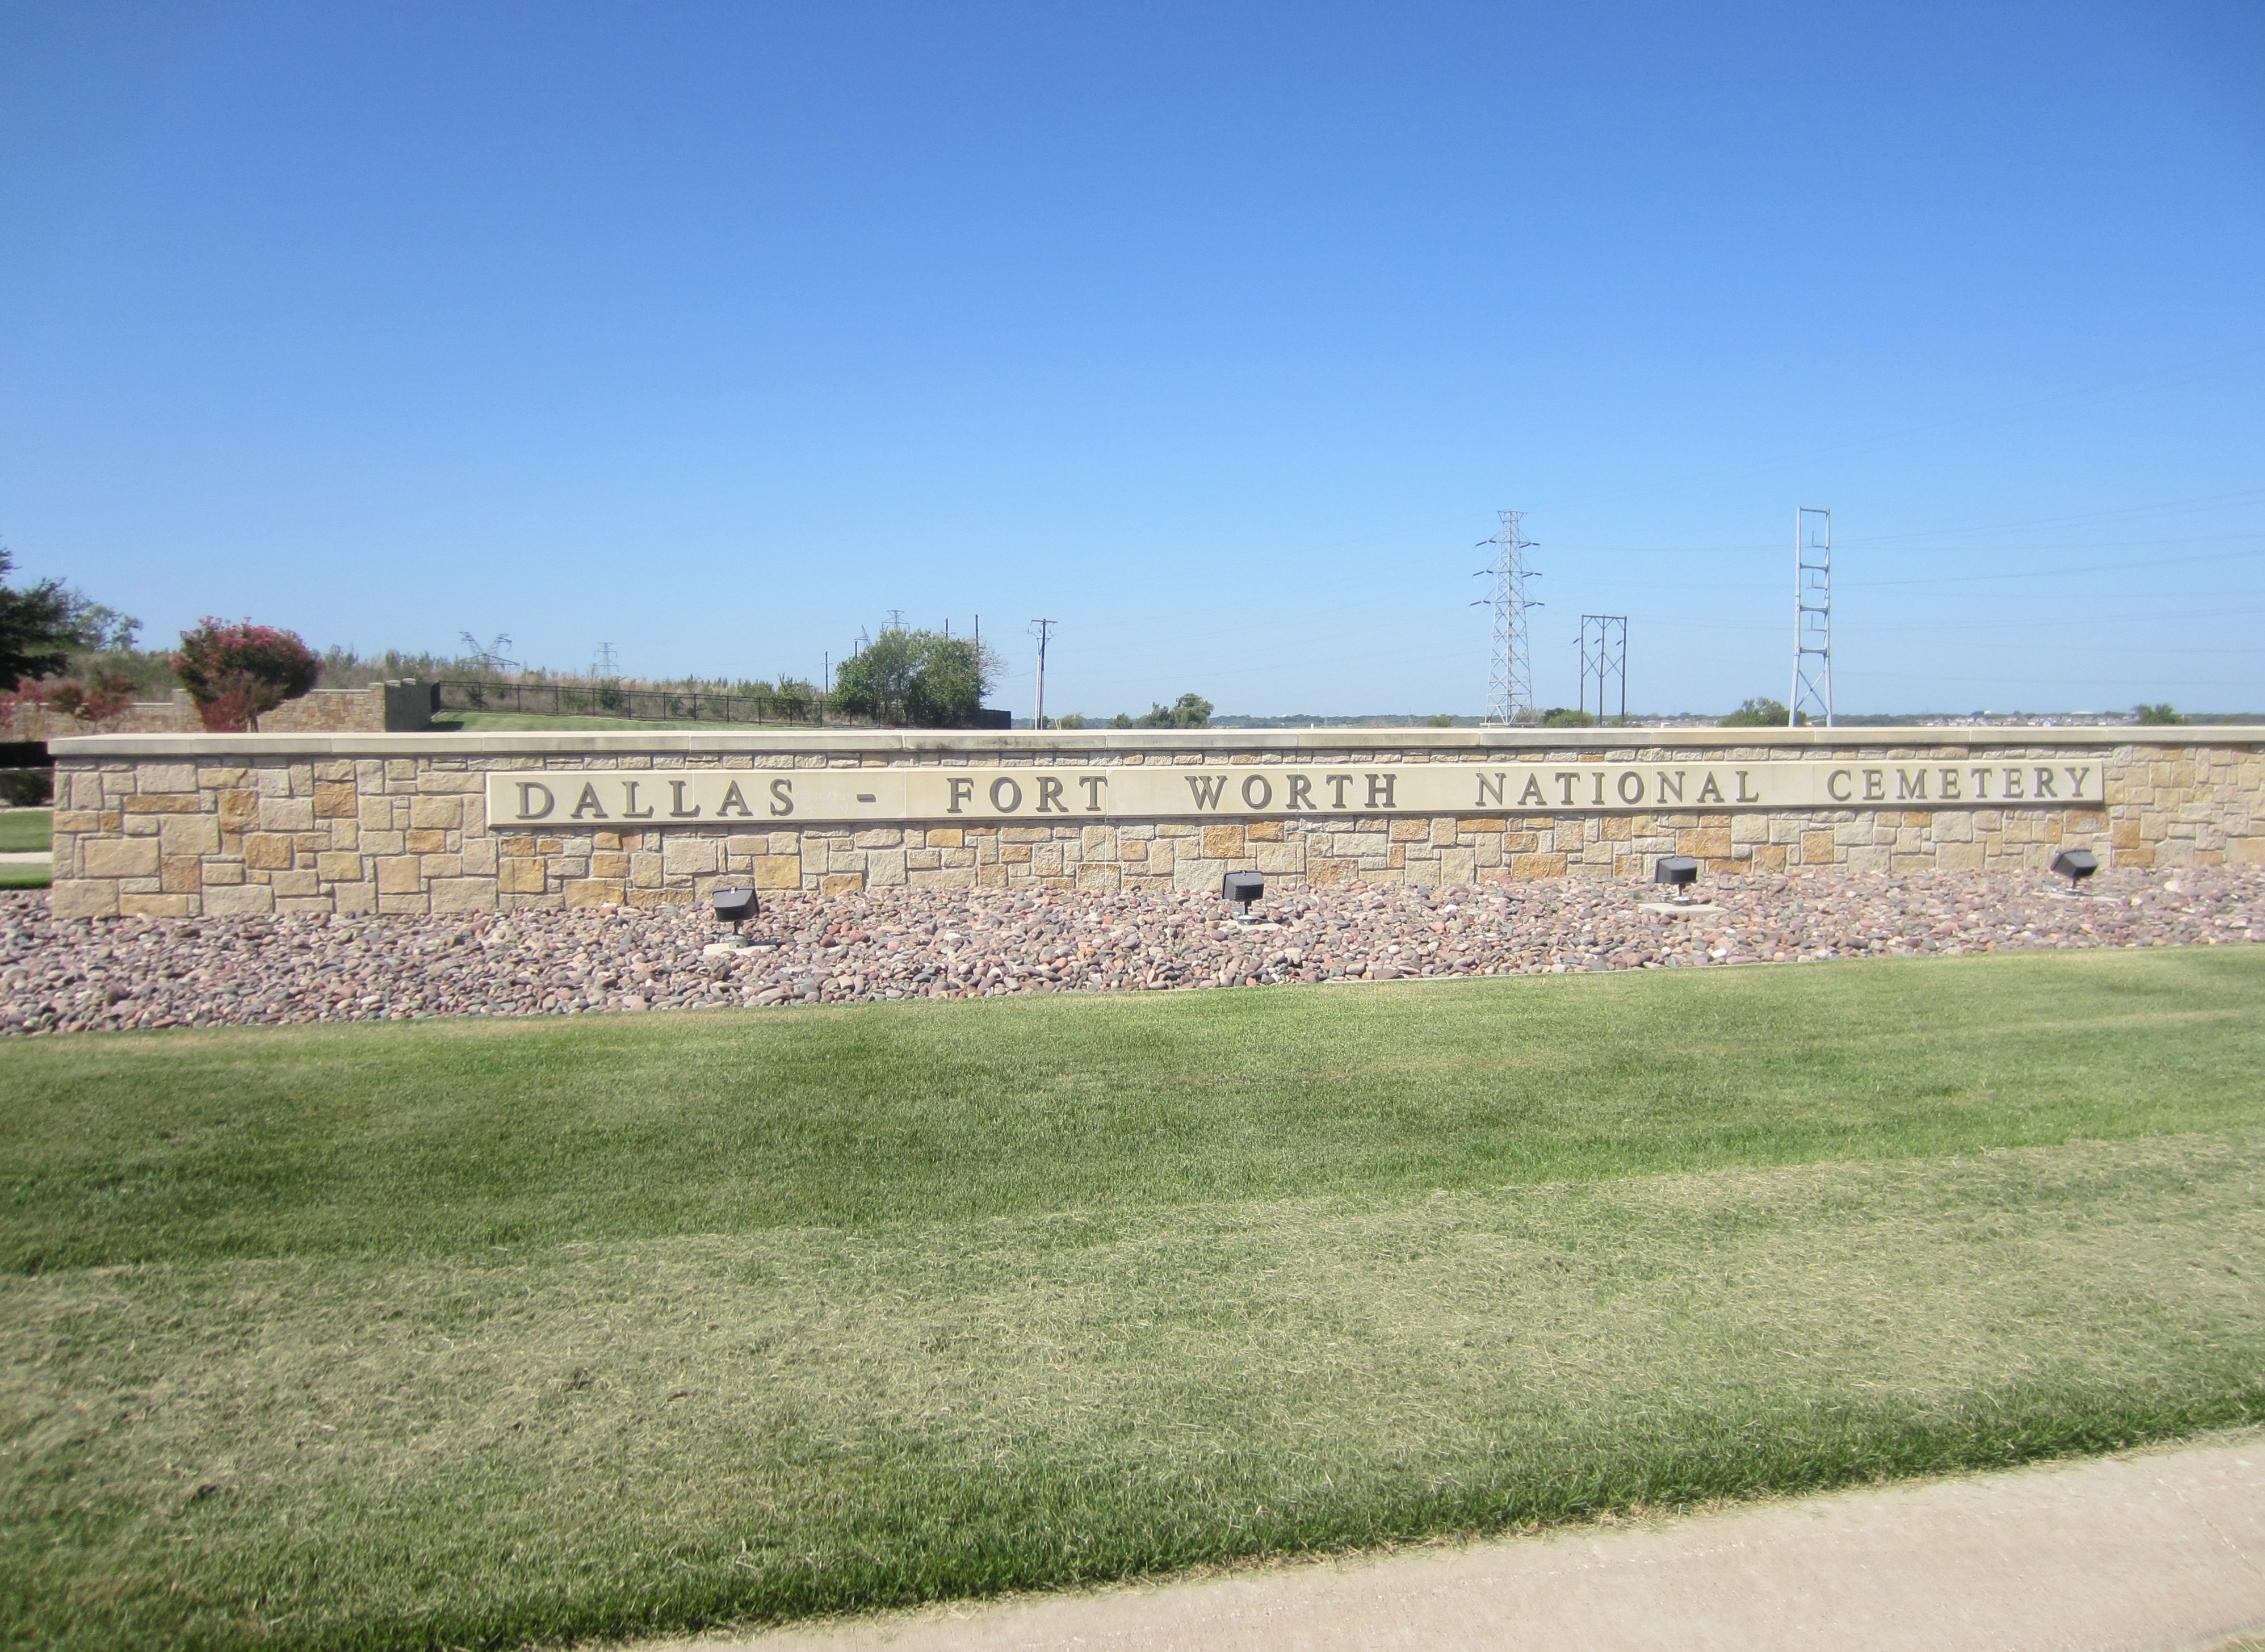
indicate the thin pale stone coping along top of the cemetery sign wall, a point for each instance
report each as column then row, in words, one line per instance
column 1075, row 742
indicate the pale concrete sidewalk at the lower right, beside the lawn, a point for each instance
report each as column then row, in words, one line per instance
column 2148, row 1551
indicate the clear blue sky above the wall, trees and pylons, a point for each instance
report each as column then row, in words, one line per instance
column 1215, row 332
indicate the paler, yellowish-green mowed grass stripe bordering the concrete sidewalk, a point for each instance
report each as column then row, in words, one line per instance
column 638, row 1436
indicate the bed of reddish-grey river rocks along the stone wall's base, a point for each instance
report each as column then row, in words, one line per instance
column 126, row 973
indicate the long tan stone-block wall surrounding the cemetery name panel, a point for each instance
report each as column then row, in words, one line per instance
column 180, row 826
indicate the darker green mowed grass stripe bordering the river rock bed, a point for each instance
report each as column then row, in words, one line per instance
column 459, row 1136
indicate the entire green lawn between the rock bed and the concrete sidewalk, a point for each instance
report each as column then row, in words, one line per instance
column 475, row 1334
